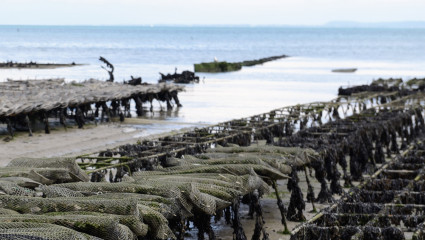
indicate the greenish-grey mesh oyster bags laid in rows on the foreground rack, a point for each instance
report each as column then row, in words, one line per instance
column 50, row 197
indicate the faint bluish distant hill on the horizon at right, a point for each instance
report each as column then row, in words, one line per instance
column 405, row 24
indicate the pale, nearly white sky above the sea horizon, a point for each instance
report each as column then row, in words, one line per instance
column 200, row 12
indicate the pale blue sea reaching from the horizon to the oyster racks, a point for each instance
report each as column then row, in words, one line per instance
column 305, row 76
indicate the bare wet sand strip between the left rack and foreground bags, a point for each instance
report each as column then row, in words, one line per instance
column 90, row 139
